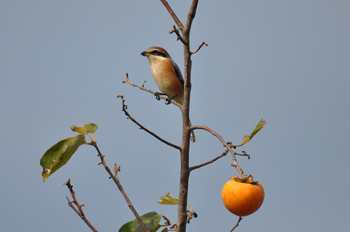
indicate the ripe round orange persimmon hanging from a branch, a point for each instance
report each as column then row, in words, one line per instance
column 242, row 197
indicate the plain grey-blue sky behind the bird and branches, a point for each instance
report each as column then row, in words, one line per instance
column 63, row 63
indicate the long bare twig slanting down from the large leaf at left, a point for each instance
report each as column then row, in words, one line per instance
column 120, row 187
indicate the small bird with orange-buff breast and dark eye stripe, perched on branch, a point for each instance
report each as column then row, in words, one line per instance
column 167, row 76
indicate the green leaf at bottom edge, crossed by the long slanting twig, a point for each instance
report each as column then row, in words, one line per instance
column 151, row 220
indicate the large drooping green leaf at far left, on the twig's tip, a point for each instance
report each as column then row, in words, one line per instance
column 59, row 154
